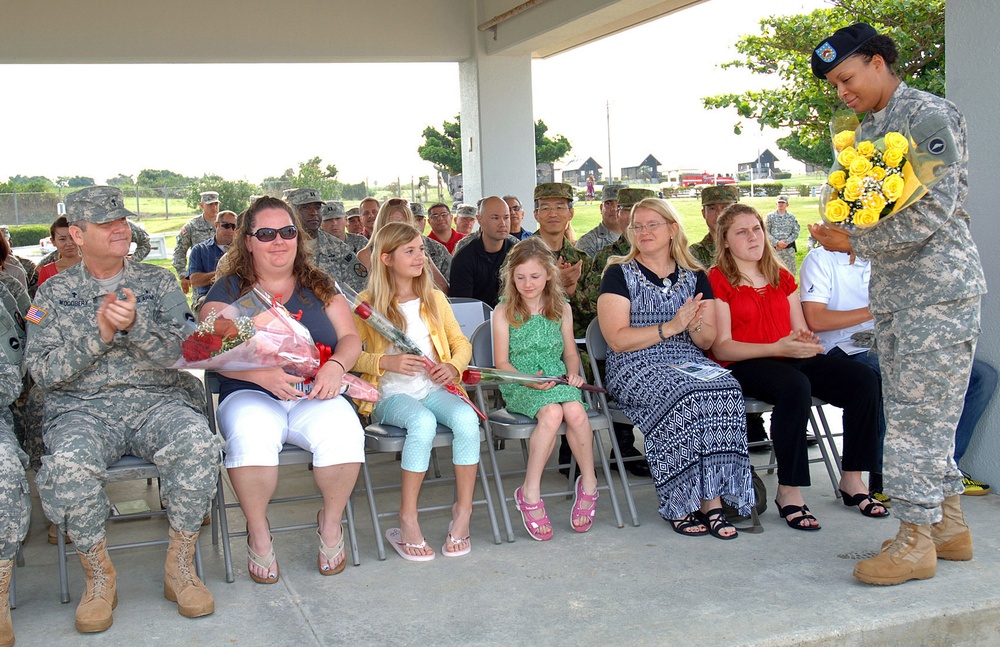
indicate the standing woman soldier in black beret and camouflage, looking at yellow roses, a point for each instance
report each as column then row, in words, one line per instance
column 925, row 290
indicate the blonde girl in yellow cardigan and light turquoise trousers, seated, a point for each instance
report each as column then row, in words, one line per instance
column 400, row 287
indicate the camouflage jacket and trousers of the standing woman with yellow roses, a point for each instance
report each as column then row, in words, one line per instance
column 925, row 291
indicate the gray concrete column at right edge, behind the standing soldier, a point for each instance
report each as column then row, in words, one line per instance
column 973, row 78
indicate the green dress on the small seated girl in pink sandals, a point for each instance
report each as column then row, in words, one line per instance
column 537, row 346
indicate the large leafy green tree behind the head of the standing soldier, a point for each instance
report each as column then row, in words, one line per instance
column 803, row 104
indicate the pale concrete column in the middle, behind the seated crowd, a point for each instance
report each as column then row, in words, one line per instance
column 498, row 132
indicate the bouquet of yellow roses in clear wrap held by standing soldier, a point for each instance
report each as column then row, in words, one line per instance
column 872, row 179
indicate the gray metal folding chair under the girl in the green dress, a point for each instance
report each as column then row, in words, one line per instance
column 501, row 423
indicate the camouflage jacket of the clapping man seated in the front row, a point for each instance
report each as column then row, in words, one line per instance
column 77, row 370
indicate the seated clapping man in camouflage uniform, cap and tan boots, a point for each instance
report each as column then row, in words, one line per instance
column 98, row 336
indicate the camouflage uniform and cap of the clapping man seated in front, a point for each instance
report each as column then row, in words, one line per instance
column 106, row 400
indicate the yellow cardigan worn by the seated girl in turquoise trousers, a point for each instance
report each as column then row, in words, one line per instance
column 450, row 344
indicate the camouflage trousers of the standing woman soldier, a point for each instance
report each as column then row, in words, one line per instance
column 925, row 356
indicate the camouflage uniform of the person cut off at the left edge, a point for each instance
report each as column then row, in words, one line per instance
column 16, row 509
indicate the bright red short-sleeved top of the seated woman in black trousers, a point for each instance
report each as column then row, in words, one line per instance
column 757, row 316
